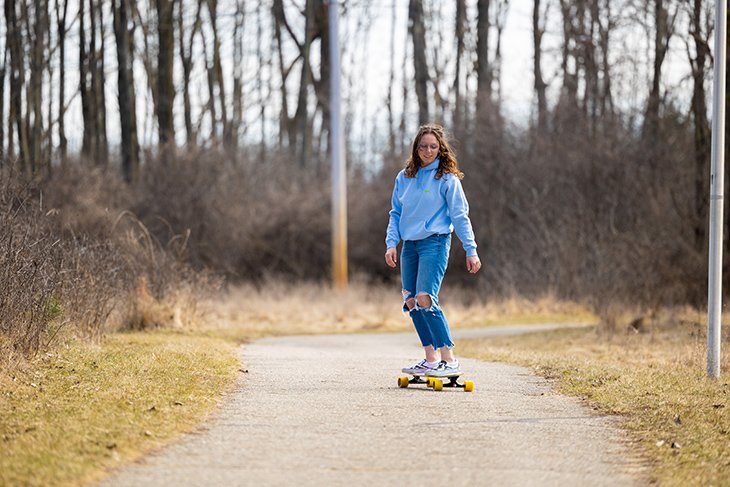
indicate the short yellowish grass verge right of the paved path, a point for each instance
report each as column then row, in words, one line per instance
column 656, row 381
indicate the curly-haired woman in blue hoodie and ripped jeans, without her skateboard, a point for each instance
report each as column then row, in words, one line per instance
column 428, row 204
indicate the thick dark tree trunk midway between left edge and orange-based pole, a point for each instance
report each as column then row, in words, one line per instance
column 165, row 86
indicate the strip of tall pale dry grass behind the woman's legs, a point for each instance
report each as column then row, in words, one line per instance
column 285, row 308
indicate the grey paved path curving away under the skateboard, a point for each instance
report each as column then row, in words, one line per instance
column 326, row 410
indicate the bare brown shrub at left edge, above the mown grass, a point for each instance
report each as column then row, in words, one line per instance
column 71, row 256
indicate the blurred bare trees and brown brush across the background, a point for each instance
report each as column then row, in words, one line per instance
column 208, row 122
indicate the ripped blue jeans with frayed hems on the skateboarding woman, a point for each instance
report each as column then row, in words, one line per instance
column 422, row 266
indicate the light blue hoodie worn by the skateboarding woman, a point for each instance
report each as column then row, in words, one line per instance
column 424, row 206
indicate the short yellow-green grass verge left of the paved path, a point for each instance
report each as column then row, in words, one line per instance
column 75, row 412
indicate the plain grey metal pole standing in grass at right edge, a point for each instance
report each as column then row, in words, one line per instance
column 717, row 177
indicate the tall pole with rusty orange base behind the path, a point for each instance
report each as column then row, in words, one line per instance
column 339, row 171
